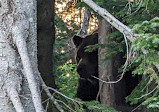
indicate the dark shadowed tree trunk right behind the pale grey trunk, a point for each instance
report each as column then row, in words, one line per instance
column 46, row 37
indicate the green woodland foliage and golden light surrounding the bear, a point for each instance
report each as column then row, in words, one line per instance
column 139, row 15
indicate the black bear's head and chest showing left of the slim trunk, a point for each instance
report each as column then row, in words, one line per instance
column 87, row 66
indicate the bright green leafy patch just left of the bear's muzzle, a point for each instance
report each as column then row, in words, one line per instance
column 68, row 80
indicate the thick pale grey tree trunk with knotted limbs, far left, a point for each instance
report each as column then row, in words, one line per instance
column 18, row 57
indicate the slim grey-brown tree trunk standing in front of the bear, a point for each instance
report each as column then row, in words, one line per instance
column 105, row 68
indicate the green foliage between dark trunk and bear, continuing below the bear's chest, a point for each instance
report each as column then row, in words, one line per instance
column 68, row 84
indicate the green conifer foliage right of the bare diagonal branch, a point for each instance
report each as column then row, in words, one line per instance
column 134, row 15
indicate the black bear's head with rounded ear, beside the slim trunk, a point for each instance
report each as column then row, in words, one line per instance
column 87, row 62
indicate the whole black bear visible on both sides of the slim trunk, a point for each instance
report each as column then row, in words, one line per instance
column 87, row 66
